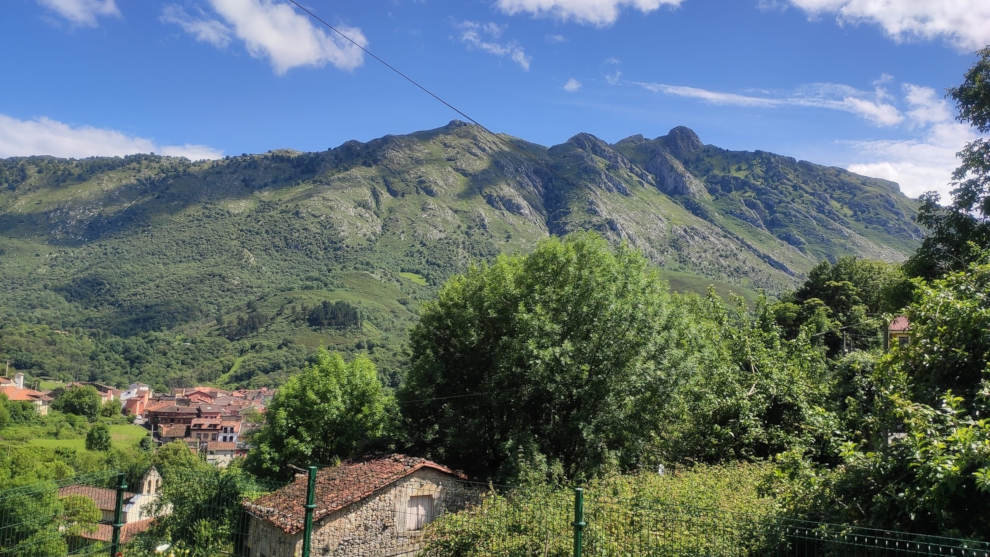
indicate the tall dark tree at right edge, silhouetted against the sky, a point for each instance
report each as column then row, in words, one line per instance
column 958, row 231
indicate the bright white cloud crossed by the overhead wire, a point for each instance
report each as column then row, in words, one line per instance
column 274, row 30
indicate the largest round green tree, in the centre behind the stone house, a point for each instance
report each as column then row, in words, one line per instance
column 561, row 357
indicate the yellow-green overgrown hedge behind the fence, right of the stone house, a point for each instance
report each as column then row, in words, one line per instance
column 704, row 511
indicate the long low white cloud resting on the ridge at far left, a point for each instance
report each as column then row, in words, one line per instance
column 44, row 136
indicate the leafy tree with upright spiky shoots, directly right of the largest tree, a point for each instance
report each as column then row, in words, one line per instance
column 755, row 398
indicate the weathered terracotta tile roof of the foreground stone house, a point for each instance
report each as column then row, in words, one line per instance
column 337, row 488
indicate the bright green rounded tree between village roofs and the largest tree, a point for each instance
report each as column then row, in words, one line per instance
column 332, row 410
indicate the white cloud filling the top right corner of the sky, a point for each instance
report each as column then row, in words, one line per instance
column 963, row 23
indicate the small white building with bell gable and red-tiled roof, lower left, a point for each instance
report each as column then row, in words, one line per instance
column 137, row 510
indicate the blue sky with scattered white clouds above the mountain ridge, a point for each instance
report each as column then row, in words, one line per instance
column 855, row 83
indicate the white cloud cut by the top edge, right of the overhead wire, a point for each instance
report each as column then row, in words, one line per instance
column 593, row 12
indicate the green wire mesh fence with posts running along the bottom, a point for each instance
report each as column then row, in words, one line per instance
column 212, row 512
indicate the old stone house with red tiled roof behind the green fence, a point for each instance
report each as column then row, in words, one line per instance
column 374, row 506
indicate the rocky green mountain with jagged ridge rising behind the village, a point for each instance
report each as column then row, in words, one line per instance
column 175, row 271
